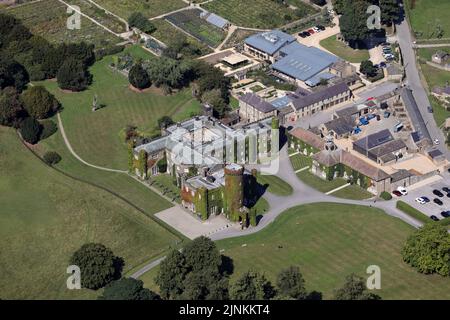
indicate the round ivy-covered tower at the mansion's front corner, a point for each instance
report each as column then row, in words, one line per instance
column 234, row 190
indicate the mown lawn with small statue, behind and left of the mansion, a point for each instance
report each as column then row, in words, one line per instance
column 98, row 136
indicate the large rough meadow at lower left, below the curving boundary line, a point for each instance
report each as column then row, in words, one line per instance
column 45, row 216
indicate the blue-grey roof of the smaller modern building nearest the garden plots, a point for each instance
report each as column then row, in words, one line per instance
column 269, row 42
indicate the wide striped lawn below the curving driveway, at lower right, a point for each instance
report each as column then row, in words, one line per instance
column 330, row 241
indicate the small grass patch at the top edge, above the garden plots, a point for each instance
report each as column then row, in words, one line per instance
column 153, row 8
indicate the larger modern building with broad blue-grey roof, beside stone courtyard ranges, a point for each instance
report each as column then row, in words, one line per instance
column 298, row 63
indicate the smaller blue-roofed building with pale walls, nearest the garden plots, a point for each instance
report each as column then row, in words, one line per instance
column 266, row 45
